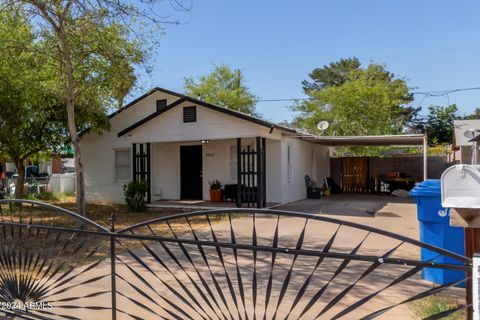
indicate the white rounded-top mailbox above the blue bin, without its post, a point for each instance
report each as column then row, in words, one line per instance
column 461, row 187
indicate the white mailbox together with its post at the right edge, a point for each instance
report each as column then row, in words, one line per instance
column 460, row 187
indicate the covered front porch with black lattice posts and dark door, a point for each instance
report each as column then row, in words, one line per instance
column 179, row 172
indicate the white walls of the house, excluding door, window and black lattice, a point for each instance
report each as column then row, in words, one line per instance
column 167, row 132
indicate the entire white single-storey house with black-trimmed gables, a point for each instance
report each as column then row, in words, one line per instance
column 179, row 144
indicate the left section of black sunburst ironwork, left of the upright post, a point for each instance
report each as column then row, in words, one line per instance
column 46, row 253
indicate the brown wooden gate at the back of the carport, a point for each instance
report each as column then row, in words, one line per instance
column 355, row 174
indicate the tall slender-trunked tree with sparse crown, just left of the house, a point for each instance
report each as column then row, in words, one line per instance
column 92, row 56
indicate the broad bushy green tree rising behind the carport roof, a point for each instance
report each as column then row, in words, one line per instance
column 367, row 101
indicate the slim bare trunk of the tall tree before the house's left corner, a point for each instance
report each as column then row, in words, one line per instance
column 72, row 127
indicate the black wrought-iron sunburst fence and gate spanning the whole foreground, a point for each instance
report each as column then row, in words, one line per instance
column 218, row 264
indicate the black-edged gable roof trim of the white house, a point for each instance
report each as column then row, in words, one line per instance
column 184, row 98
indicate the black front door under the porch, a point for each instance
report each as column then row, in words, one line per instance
column 191, row 172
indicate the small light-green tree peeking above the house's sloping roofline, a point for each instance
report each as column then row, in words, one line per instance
column 224, row 87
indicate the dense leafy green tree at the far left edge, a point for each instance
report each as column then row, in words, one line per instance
column 29, row 123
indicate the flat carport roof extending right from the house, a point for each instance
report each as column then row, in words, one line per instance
column 380, row 140
